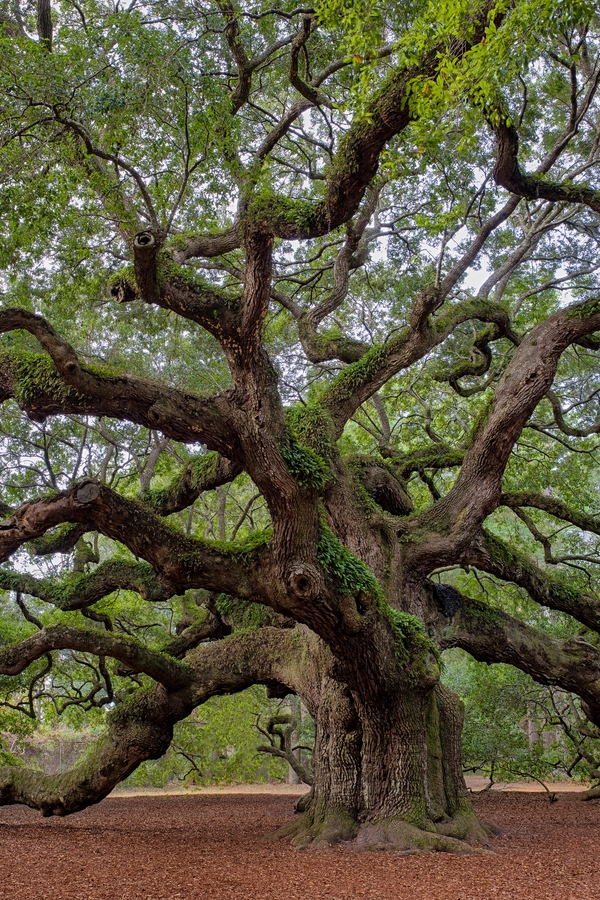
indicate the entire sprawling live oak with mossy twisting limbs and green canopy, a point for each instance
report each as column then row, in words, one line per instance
column 336, row 266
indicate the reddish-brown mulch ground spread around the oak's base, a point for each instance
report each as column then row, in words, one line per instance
column 208, row 847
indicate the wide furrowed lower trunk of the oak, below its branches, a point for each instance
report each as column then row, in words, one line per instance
column 387, row 770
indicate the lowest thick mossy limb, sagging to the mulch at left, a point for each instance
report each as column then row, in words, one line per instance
column 142, row 727
